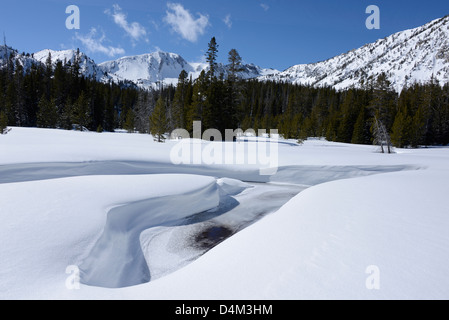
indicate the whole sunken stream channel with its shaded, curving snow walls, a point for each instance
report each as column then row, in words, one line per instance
column 146, row 240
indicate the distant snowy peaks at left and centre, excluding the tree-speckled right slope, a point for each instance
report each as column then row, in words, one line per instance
column 146, row 70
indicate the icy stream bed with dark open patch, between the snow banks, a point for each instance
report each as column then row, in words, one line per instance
column 171, row 247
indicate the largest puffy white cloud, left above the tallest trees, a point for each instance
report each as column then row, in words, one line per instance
column 183, row 23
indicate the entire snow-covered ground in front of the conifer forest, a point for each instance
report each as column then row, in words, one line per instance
column 335, row 221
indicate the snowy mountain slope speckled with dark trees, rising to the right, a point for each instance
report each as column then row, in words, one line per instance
column 414, row 55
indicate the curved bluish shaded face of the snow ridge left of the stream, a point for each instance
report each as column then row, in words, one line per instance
column 117, row 259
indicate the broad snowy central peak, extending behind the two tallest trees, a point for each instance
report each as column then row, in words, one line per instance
column 148, row 70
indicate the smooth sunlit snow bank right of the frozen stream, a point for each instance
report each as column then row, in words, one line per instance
column 321, row 244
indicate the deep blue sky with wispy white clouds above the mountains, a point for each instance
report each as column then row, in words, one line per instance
column 269, row 33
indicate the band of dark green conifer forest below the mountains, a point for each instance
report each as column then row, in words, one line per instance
column 57, row 96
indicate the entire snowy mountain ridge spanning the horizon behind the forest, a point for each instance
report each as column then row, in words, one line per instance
column 413, row 55
